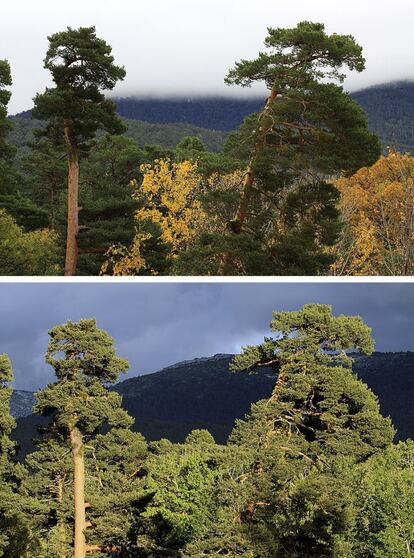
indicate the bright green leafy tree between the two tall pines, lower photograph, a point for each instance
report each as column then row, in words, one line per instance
column 180, row 505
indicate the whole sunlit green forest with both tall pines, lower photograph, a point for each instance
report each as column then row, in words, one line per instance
column 312, row 471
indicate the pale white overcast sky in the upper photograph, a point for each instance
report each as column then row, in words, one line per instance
column 186, row 47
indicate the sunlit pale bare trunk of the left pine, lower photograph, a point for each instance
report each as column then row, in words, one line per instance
column 79, row 546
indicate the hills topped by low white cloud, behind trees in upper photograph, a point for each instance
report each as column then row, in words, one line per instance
column 389, row 107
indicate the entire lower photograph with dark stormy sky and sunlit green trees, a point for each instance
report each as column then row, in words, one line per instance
column 256, row 420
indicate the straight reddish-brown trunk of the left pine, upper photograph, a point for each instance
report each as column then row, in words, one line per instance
column 73, row 215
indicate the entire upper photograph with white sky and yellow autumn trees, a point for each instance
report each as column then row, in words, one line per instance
column 208, row 138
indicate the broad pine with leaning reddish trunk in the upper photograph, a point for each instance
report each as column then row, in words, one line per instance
column 308, row 129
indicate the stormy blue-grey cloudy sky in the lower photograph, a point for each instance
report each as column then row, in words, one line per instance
column 158, row 324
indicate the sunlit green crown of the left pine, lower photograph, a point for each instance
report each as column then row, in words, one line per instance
column 84, row 361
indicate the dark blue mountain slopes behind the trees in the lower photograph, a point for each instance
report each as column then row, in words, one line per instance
column 202, row 393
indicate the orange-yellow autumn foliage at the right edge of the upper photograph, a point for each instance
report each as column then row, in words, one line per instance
column 377, row 206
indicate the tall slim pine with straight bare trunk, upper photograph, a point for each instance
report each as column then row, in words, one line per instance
column 82, row 66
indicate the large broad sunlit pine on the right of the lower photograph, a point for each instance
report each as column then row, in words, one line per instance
column 288, row 490
